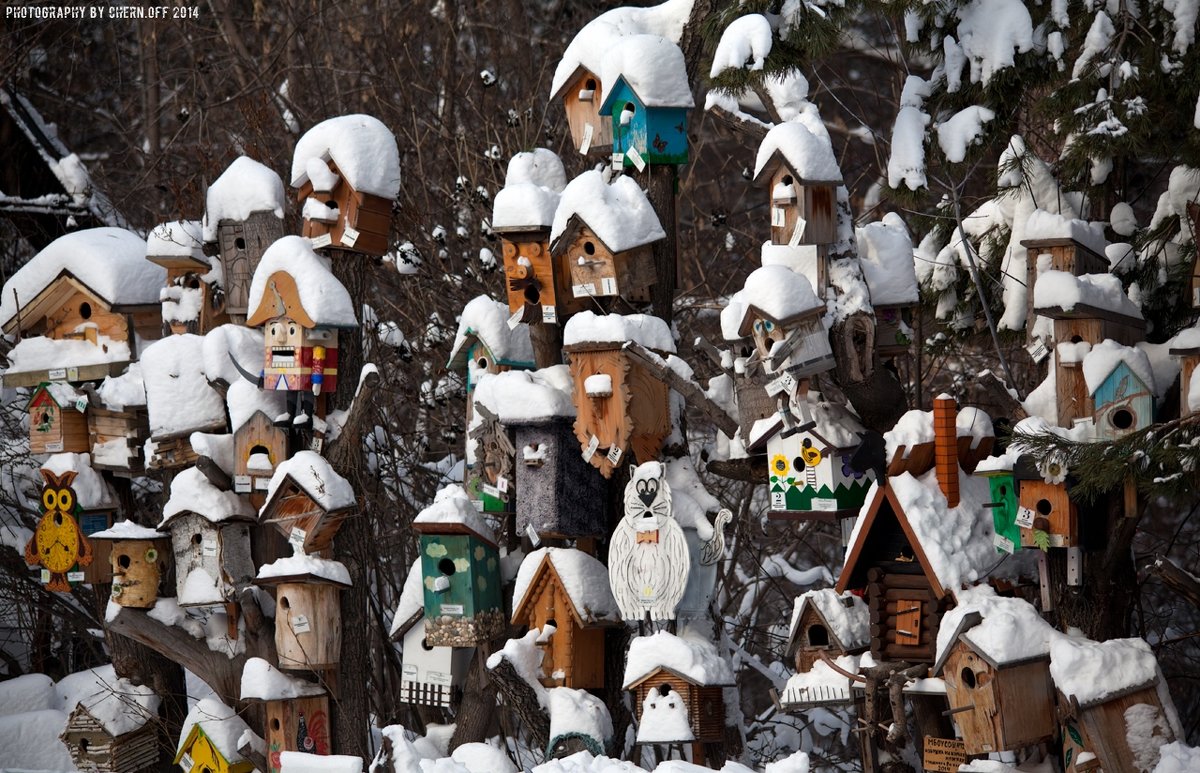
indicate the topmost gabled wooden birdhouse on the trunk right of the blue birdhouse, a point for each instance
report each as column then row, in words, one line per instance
column 799, row 167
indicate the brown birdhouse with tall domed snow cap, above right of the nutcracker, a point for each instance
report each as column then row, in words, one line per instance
column 346, row 173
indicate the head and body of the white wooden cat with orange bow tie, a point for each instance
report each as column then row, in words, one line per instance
column 649, row 560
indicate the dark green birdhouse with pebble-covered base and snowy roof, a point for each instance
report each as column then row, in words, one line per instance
column 461, row 573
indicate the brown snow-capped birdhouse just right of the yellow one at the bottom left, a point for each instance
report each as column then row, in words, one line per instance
column 297, row 711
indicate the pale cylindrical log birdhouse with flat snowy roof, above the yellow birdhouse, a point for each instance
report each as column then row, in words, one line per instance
column 308, row 610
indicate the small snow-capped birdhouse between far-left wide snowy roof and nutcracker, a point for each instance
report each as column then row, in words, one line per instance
column 193, row 301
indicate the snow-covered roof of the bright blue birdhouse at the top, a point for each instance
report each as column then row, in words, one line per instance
column 652, row 67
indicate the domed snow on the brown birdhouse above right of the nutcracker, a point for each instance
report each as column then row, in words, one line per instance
column 363, row 148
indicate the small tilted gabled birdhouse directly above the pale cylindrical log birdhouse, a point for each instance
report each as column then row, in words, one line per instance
column 308, row 501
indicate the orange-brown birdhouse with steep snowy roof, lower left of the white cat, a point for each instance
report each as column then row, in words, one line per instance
column 565, row 595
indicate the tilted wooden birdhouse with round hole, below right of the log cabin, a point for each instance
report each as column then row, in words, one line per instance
column 997, row 668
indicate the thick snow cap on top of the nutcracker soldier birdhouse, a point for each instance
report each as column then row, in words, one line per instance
column 325, row 299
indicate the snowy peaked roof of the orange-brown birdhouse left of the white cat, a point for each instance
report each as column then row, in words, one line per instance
column 584, row 578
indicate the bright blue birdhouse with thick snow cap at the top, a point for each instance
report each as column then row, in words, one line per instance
column 647, row 97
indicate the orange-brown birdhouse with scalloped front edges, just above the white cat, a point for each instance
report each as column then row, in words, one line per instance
column 620, row 405
